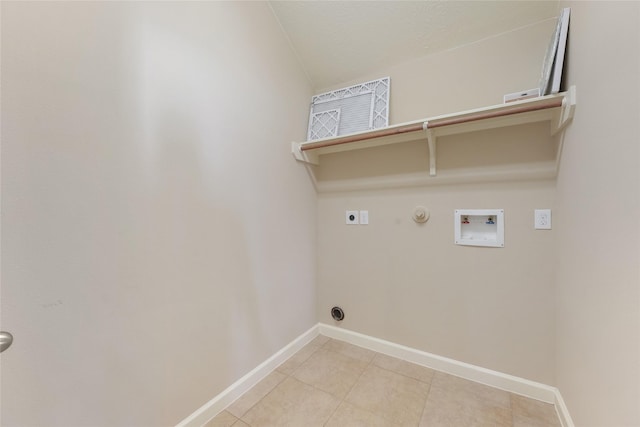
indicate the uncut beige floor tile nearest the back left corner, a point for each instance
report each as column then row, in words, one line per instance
column 332, row 372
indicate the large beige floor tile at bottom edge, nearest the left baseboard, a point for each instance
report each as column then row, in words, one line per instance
column 292, row 403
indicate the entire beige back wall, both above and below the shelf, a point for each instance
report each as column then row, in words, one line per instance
column 409, row 283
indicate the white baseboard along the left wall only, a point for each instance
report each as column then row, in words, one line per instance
column 235, row 390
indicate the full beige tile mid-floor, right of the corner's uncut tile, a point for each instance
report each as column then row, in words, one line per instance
column 393, row 396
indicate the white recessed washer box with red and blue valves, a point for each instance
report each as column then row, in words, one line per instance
column 479, row 227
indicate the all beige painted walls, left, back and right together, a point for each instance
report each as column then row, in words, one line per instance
column 146, row 177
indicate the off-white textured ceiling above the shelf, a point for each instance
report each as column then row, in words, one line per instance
column 338, row 41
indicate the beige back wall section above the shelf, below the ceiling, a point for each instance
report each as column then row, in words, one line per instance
column 471, row 76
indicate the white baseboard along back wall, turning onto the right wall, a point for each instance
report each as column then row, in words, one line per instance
column 510, row 383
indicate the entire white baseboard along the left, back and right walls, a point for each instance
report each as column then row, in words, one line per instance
column 467, row 371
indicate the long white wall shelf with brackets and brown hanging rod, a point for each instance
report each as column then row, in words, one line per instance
column 556, row 109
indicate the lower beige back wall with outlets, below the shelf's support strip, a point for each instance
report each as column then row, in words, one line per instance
column 408, row 283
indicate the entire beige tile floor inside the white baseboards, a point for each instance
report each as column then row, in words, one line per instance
column 332, row 383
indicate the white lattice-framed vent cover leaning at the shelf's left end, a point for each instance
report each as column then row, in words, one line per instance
column 353, row 109
